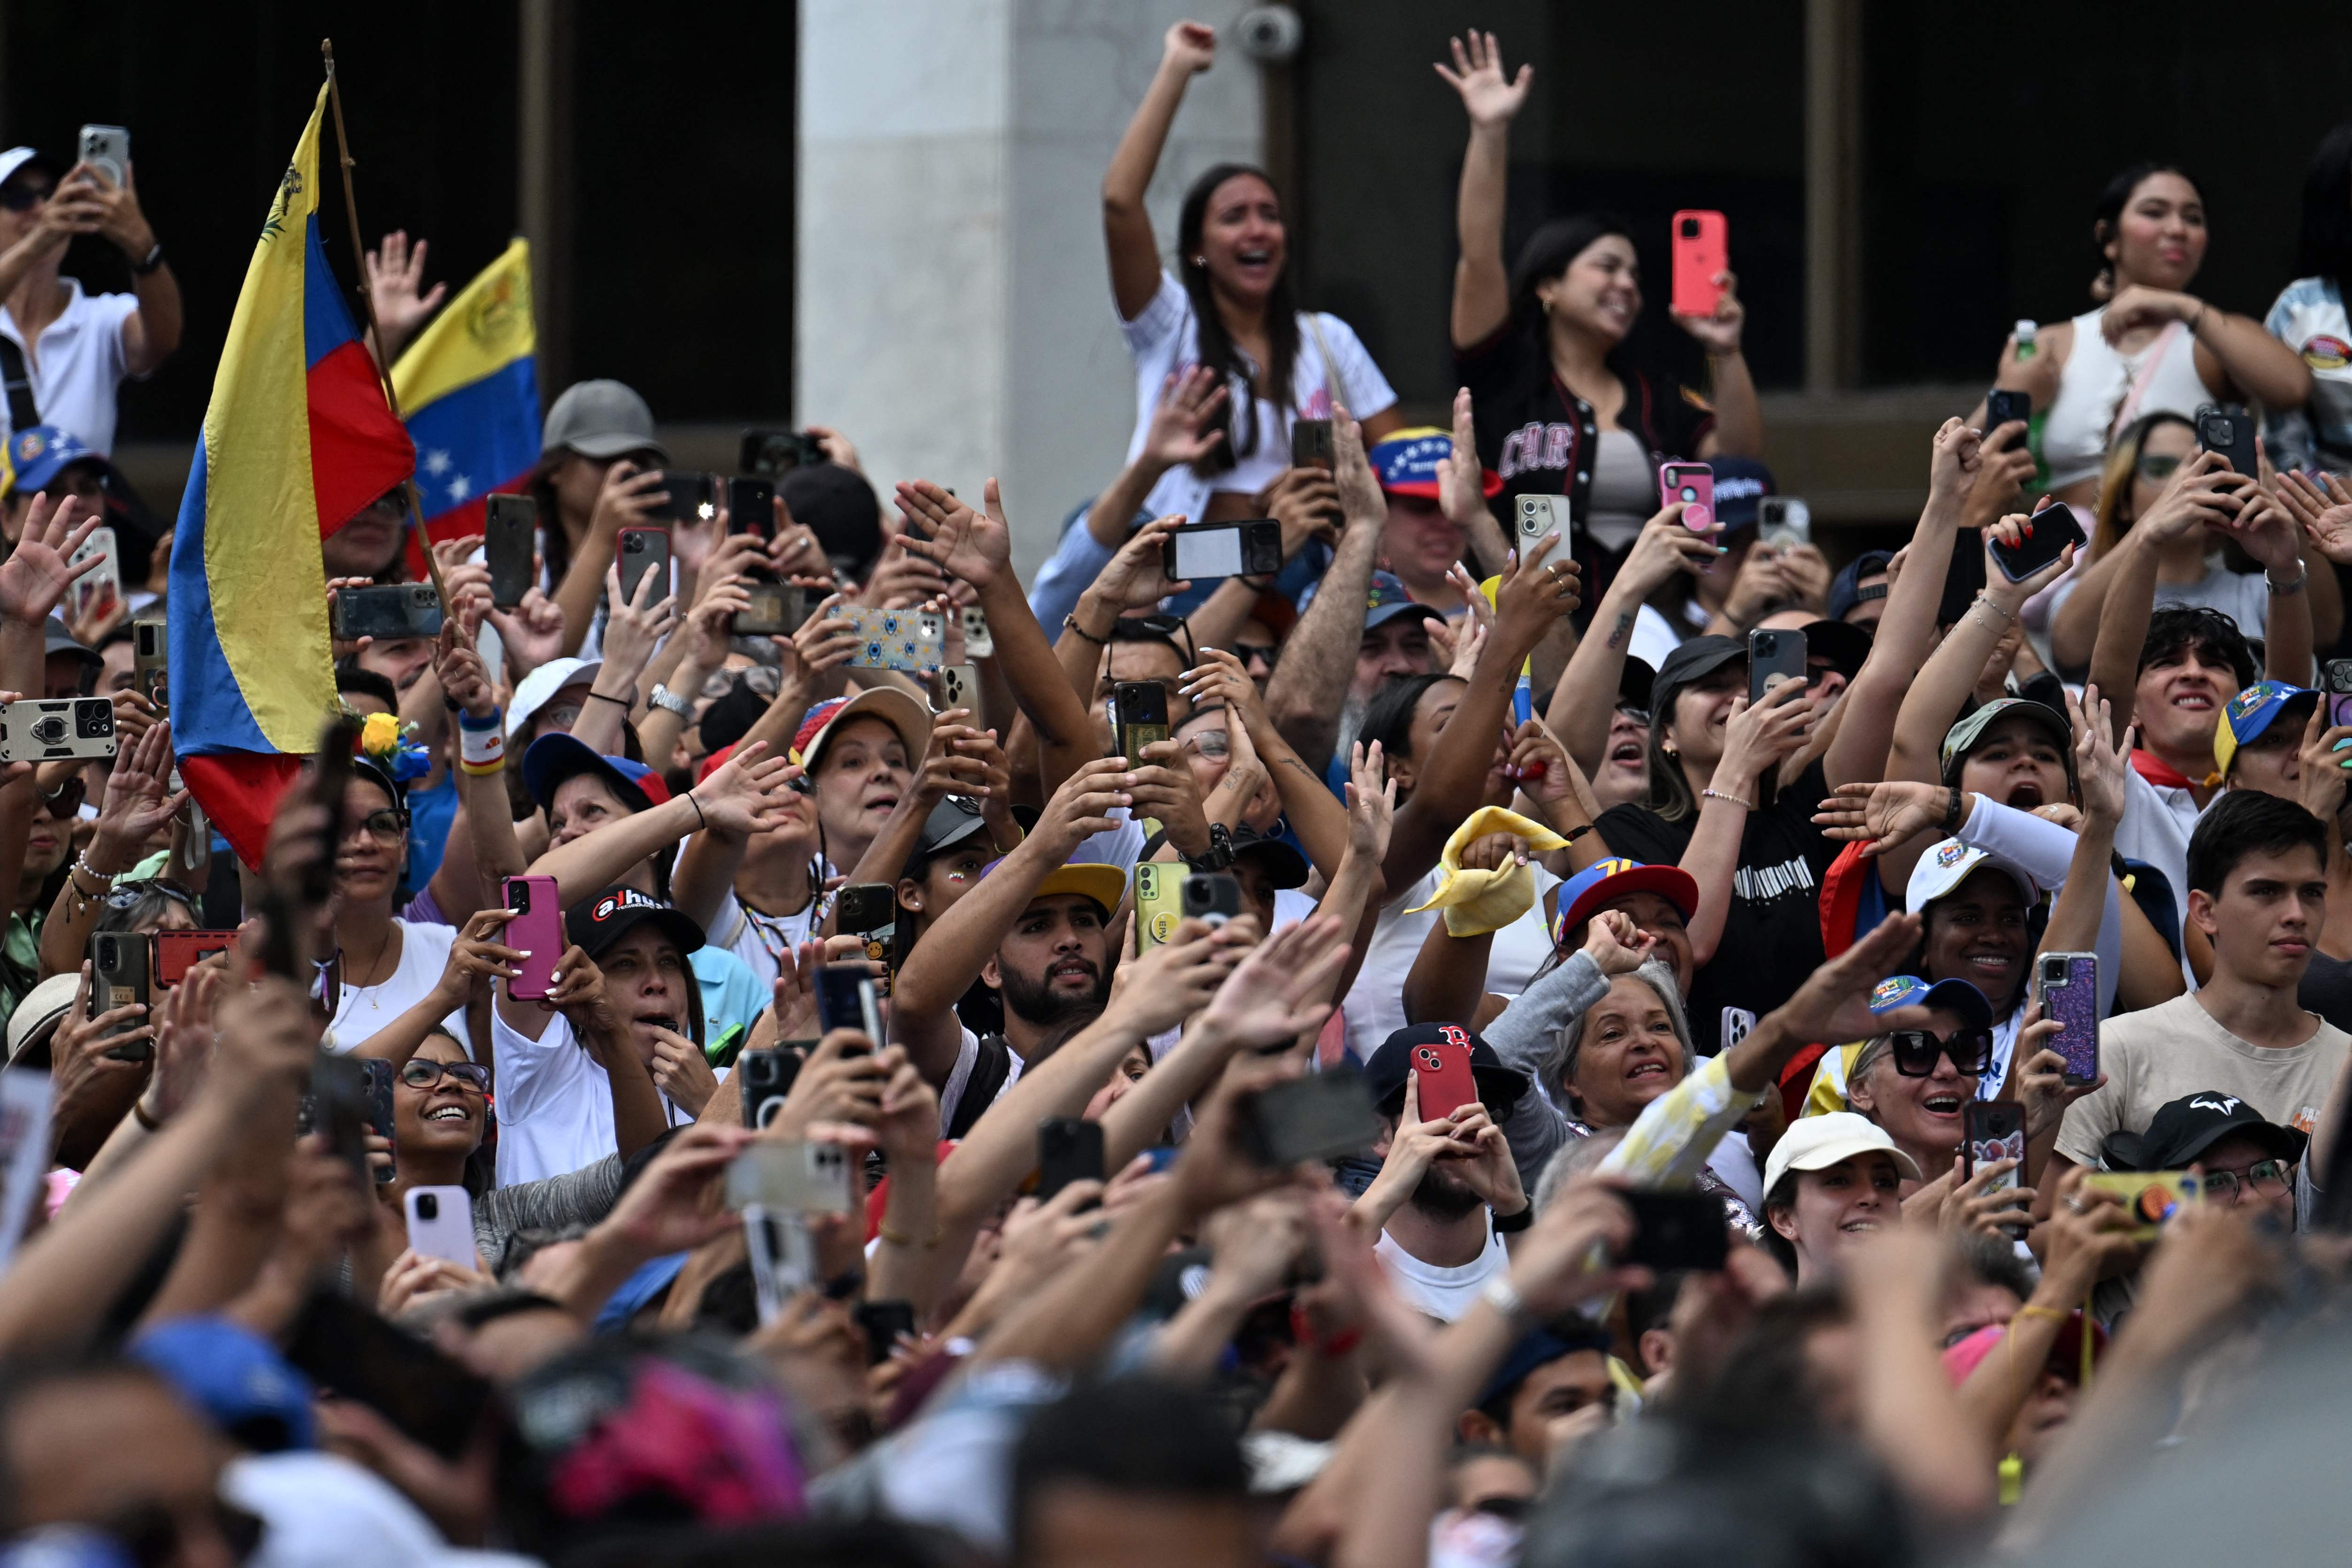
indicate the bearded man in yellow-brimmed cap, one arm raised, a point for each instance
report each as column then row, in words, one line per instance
column 1036, row 932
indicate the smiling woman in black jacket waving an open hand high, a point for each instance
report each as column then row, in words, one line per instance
column 1544, row 349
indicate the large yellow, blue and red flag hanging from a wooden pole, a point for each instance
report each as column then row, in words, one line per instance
column 298, row 441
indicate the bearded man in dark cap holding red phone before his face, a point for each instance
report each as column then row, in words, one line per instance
column 1443, row 1177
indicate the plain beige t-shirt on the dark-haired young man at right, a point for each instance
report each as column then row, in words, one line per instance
column 2174, row 1050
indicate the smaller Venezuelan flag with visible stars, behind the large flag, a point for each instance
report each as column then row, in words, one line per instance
column 472, row 389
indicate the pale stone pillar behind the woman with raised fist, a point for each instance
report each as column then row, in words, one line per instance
column 954, row 307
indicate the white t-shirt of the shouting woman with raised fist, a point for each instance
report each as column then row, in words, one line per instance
column 1165, row 340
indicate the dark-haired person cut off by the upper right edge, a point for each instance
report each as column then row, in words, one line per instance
column 2311, row 316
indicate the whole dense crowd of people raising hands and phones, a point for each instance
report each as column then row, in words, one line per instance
column 1234, row 1071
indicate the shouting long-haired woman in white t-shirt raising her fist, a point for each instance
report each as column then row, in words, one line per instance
column 1229, row 307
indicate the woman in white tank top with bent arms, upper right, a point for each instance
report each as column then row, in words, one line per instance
column 2149, row 347
